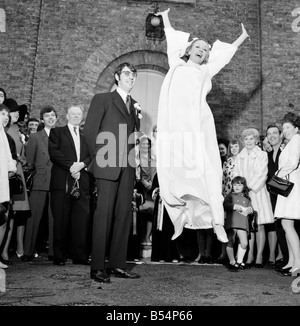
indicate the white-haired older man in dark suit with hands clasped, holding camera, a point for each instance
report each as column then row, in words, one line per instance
column 69, row 155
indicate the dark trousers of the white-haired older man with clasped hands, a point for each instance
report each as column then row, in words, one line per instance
column 71, row 223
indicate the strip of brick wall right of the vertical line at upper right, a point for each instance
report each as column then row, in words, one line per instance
column 280, row 59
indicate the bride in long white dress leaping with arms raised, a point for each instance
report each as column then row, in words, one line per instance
column 188, row 159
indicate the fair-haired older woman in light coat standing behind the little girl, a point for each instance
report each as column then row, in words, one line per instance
column 252, row 164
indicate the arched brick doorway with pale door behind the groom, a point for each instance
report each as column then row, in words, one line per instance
column 152, row 67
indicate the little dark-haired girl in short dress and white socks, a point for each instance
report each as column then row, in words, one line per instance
column 237, row 205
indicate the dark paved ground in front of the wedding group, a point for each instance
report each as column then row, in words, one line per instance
column 40, row 283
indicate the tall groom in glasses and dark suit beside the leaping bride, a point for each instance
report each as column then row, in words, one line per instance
column 111, row 119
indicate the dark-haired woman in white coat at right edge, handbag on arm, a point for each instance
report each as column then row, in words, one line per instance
column 288, row 208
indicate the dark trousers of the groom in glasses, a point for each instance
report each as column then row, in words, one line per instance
column 112, row 220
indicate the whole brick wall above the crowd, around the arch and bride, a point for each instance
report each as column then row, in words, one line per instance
column 61, row 51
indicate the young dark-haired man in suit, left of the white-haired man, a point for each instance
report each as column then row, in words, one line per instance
column 38, row 159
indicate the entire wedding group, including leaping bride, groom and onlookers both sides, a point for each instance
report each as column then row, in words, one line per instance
column 105, row 189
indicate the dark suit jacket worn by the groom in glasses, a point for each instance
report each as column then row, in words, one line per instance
column 108, row 128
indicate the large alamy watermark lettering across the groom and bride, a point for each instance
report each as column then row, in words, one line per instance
column 177, row 150
